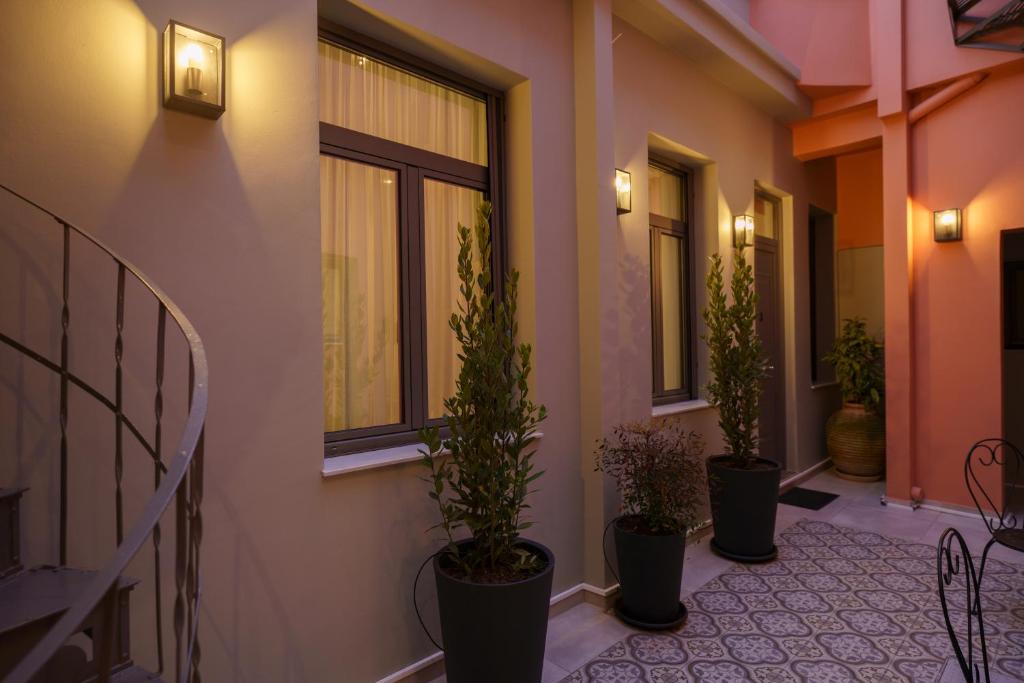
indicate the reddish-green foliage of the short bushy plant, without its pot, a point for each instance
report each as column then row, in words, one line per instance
column 660, row 476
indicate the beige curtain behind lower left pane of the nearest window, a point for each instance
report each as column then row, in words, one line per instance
column 360, row 240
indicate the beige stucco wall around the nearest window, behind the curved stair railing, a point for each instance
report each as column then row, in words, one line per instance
column 305, row 579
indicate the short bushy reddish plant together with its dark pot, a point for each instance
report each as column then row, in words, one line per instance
column 660, row 476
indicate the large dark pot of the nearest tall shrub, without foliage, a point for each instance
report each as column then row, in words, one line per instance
column 495, row 632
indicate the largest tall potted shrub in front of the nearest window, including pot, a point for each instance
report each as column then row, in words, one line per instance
column 494, row 588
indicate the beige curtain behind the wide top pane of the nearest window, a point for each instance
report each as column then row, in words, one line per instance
column 369, row 97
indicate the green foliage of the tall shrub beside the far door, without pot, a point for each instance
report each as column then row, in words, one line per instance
column 738, row 362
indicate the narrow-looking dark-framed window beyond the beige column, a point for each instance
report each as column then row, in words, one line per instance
column 670, row 200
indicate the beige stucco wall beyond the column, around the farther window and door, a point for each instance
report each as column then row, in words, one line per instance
column 665, row 105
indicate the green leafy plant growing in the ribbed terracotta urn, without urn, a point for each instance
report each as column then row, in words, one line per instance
column 860, row 362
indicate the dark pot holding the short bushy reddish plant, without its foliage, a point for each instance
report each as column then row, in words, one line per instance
column 651, row 574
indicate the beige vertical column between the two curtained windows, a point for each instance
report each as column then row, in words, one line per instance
column 598, row 253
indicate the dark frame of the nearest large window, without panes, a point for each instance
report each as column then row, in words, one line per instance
column 413, row 165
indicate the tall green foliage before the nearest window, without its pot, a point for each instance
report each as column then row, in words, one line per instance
column 481, row 474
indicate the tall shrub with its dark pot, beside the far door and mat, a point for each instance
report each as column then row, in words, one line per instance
column 744, row 488
